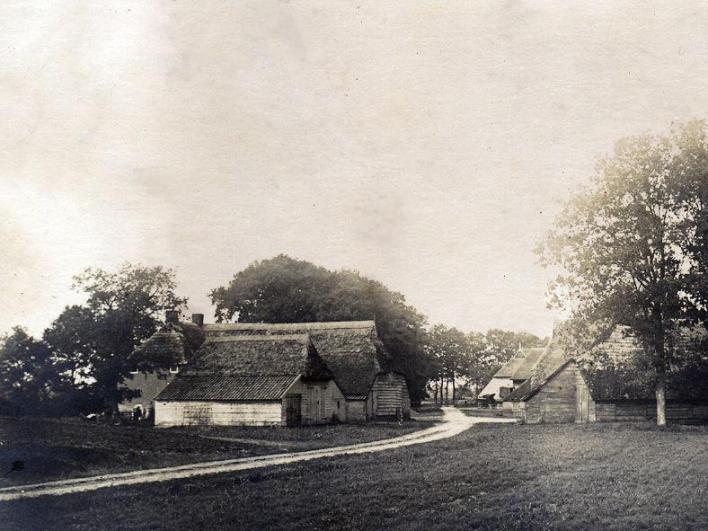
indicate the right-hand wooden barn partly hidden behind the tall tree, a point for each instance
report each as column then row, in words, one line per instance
column 561, row 390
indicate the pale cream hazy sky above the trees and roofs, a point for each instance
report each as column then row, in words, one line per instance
column 428, row 145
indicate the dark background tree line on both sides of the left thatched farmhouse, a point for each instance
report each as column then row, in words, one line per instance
column 80, row 360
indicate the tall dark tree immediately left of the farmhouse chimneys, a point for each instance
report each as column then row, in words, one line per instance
column 93, row 342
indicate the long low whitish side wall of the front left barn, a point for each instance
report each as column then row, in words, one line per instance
column 200, row 413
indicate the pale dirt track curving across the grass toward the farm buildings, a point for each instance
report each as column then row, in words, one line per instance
column 454, row 422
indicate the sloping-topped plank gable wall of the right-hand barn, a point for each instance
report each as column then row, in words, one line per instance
column 555, row 402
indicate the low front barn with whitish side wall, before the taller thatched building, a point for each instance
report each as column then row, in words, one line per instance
column 252, row 380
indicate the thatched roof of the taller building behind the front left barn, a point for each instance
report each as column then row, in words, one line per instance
column 352, row 350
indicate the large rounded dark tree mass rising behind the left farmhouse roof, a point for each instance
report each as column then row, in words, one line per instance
column 282, row 289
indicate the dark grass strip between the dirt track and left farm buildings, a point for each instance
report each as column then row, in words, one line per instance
column 66, row 448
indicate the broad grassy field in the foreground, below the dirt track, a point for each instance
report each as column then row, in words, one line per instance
column 492, row 476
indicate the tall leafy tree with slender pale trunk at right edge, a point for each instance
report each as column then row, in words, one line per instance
column 630, row 244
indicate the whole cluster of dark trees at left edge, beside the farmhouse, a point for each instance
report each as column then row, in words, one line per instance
column 85, row 353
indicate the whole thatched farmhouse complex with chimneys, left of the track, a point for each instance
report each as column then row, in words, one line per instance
column 257, row 374
